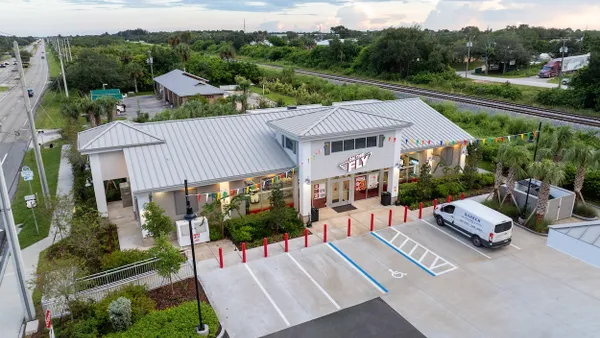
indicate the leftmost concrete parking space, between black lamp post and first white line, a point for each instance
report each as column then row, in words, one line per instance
column 239, row 302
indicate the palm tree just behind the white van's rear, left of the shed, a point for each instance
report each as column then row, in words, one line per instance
column 515, row 157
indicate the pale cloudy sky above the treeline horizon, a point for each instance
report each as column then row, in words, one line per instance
column 72, row 17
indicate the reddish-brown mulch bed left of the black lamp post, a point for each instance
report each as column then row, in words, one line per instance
column 182, row 291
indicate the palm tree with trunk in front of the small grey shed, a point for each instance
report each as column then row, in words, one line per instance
column 548, row 173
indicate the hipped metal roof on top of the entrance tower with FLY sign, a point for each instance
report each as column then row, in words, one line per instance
column 333, row 121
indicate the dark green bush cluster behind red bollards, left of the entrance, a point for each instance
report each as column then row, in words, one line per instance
column 253, row 228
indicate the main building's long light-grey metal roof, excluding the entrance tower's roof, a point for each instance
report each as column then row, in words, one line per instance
column 161, row 155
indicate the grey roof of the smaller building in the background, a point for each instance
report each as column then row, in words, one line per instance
column 185, row 84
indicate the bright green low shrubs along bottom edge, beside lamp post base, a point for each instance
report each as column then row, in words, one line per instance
column 177, row 322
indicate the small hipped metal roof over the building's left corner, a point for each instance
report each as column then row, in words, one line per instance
column 116, row 135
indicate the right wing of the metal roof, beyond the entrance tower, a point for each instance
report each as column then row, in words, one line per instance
column 427, row 123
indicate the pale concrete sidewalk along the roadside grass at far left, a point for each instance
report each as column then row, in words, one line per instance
column 11, row 308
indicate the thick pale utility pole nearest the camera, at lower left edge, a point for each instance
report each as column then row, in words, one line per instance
column 13, row 244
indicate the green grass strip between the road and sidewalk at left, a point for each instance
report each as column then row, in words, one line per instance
column 28, row 234
